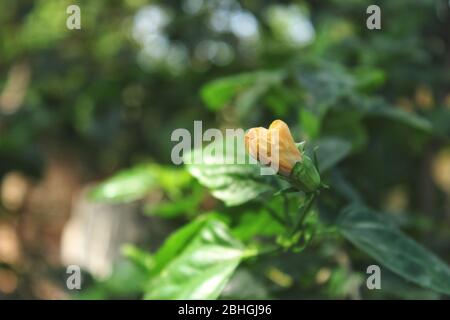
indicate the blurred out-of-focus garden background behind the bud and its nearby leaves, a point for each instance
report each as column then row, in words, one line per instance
column 77, row 106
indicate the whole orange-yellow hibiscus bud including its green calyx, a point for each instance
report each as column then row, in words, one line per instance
column 276, row 147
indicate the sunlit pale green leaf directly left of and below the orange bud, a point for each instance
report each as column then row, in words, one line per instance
column 234, row 184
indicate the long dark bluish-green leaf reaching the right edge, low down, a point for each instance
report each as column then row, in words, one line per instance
column 381, row 239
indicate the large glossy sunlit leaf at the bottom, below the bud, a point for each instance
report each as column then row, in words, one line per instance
column 196, row 262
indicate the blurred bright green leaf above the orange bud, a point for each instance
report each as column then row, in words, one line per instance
column 218, row 93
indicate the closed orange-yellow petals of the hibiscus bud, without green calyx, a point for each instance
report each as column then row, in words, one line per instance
column 273, row 146
